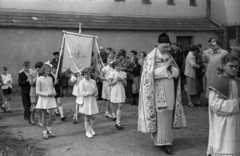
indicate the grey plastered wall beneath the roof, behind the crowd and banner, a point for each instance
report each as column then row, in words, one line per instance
column 35, row 45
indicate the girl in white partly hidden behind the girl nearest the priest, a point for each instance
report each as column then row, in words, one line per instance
column 106, row 91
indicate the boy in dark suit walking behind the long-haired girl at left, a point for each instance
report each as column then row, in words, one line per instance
column 23, row 82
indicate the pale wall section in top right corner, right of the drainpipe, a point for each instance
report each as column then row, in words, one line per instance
column 225, row 11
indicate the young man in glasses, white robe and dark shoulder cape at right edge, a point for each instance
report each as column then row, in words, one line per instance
column 224, row 114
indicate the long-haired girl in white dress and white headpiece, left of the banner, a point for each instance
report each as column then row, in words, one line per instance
column 46, row 99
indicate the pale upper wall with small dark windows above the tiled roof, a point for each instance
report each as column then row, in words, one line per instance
column 111, row 7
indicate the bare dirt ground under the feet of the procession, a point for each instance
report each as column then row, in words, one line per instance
column 71, row 140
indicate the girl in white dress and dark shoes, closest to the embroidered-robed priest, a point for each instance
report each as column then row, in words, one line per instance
column 117, row 81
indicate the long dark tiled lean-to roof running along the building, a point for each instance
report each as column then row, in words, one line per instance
column 55, row 20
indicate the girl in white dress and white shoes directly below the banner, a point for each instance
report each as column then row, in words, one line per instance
column 88, row 106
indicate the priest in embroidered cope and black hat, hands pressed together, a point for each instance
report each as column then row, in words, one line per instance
column 160, row 106
